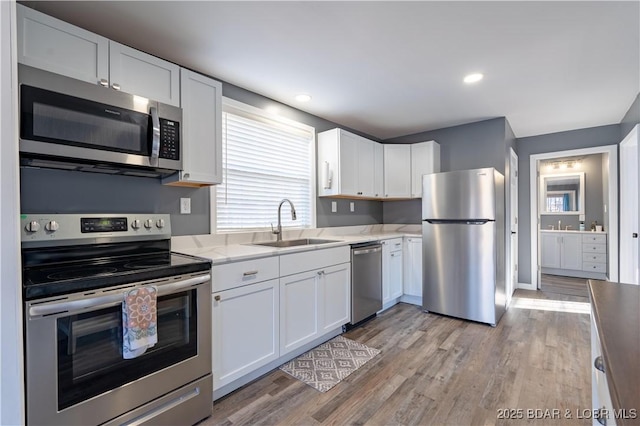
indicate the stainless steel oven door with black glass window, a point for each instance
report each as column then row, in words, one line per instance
column 74, row 366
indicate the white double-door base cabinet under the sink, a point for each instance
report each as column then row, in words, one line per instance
column 315, row 295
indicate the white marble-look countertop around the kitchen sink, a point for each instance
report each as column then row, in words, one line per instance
column 226, row 248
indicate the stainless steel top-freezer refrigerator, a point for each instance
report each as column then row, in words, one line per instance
column 463, row 239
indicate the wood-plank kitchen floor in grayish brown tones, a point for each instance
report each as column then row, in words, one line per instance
column 435, row 370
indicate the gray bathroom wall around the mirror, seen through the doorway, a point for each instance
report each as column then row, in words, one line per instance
column 593, row 196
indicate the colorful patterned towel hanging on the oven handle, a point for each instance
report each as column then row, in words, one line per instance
column 139, row 321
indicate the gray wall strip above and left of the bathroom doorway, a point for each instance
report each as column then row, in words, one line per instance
column 575, row 139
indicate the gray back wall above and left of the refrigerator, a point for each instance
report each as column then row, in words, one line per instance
column 468, row 146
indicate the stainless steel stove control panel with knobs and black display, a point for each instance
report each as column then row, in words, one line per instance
column 43, row 229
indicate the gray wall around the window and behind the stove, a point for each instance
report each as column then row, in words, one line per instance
column 57, row 191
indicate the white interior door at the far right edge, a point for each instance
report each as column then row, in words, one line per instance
column 629, row 208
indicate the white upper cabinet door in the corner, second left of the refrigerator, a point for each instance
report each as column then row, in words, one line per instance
column 397, row 171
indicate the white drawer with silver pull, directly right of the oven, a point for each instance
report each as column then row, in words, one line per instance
column 237, row 274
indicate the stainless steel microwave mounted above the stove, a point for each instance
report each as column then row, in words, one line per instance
column 71, row 124
